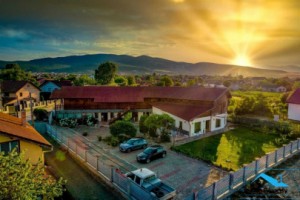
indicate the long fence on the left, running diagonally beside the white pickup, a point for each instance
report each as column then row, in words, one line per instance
column 99, row 162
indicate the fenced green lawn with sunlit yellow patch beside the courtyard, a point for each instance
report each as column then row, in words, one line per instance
column 231, row 149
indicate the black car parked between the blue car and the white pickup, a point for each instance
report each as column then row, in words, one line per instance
column 151, row 153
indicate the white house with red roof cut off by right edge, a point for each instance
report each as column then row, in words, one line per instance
column 294, row 106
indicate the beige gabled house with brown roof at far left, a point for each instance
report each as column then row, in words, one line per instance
column 18, row 93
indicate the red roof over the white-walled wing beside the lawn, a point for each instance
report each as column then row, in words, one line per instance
column 183, row 111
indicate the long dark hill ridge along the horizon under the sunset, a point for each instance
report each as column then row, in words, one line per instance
column 139, row 65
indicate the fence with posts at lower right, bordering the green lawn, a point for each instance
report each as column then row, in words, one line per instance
column 232, row 182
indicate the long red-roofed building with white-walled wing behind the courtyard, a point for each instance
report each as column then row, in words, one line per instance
column 196, row 110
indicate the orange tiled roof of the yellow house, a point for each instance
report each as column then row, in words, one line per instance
column 11, row 125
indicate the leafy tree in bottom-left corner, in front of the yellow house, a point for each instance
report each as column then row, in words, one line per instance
column 19, row 179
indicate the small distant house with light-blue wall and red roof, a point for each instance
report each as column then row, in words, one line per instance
column 48, row 86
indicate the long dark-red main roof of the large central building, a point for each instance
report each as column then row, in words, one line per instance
column 137, row 94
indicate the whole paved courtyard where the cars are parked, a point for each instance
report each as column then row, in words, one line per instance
column 179, row 171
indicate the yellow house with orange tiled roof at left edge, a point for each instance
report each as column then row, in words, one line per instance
column 15, row 132
